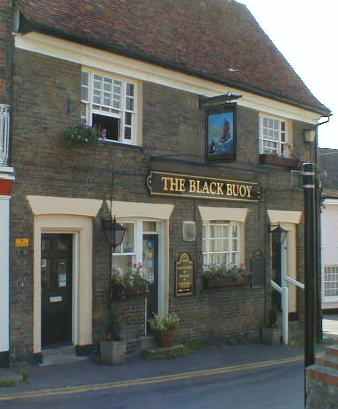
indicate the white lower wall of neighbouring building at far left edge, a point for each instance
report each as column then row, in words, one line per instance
column 4, row 273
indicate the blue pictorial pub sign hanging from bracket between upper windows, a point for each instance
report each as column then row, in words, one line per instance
column 221, row 134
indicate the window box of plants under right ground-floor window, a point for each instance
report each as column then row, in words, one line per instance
column 222, row 276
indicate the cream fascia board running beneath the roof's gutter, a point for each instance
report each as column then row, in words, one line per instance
column 138, row 70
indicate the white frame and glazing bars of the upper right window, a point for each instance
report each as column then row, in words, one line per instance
column 279, row 142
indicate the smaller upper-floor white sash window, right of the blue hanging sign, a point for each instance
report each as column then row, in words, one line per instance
column 273, row 135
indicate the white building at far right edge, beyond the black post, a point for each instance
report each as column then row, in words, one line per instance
column 329, row 219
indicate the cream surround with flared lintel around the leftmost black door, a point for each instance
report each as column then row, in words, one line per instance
column 72, row 216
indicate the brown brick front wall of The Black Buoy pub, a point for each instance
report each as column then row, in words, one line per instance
column 46, row 100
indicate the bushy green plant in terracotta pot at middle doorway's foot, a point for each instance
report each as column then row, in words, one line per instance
column 164, row 329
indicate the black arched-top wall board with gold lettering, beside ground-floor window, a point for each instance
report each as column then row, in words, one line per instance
column 184, row 275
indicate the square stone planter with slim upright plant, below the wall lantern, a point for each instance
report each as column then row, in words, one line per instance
column 113, row 349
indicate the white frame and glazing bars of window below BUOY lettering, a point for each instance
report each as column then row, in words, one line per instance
column 206, row 253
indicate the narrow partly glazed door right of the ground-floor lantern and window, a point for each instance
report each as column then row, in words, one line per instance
column 150, row 265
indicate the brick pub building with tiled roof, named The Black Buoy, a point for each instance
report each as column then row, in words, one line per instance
column 200, row 124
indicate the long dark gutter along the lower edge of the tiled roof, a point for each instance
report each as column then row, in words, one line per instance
column 25, row 26
